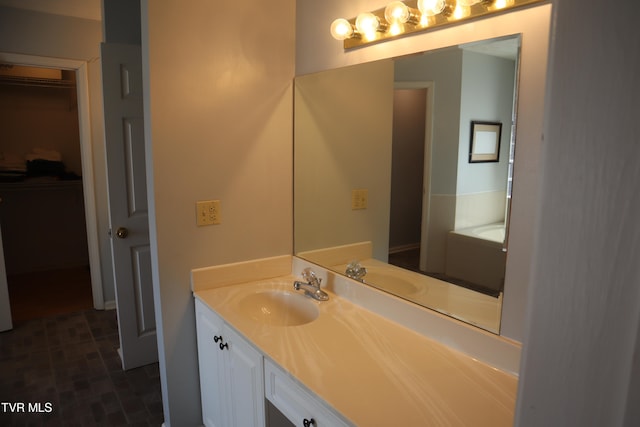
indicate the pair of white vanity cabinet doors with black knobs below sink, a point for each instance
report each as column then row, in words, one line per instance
column 231, row 374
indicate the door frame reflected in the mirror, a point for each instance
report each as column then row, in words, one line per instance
column 426, row 180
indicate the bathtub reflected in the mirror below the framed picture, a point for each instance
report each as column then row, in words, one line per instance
column 476, row 255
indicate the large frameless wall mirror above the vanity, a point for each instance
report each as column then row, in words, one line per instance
column 402, row 174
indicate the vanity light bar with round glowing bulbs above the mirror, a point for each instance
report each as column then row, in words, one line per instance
column 400, row 18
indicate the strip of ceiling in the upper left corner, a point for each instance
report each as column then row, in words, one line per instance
column 87, row 9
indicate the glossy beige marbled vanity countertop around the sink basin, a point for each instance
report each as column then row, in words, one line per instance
column 371, row 370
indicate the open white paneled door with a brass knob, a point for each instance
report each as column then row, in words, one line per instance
column 127, row 188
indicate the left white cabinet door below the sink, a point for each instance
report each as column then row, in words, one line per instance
column 211, row 364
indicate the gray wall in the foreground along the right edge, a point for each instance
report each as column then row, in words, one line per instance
column 581, row 360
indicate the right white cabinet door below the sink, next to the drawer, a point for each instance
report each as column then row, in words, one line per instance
column 246, row 381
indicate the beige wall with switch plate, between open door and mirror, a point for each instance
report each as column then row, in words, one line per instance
column 218, row 116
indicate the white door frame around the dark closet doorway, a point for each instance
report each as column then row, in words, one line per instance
column 86, row 154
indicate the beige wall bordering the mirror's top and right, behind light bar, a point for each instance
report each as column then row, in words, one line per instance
column 316, row 50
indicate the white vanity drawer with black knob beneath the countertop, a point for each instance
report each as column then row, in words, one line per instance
column 295, row 402
